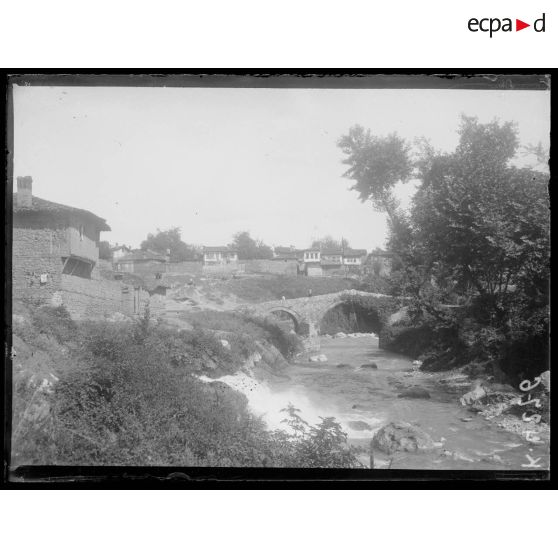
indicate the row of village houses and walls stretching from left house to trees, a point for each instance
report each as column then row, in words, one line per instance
column 56, row 261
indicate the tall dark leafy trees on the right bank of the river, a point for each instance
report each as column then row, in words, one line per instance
column 477, row 236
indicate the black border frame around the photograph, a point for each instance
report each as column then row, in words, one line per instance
column 246, row 478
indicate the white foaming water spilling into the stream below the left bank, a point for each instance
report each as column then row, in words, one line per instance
column 265, row 403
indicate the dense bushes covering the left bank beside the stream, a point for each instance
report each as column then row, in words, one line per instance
column 127, row 394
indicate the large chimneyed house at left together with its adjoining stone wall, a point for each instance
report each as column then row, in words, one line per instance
column 55, row 256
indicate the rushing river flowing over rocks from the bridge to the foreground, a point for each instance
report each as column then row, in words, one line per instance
column 364, row 399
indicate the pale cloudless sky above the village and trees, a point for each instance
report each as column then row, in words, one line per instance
column 217, row 161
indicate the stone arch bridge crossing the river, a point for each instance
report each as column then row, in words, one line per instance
column 307, row 312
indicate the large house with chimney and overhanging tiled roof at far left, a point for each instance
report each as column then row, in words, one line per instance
column 50, row 241
